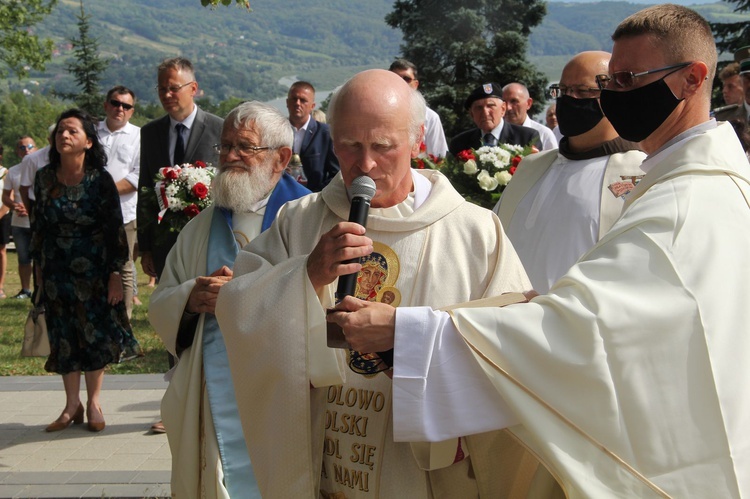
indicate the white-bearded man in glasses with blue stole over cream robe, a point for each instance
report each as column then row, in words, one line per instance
column 198, row 408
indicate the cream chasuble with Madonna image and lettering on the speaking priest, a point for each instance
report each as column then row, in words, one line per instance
column 335, row 439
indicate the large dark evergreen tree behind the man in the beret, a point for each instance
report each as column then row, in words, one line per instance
column 458, row 46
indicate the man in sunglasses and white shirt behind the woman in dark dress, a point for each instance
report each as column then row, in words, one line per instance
column 122, row 143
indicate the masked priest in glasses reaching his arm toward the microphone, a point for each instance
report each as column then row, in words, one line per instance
column 626, row 377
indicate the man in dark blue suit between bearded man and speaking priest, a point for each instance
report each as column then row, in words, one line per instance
column 312, row 140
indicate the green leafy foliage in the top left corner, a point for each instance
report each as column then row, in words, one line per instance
column 19, row 46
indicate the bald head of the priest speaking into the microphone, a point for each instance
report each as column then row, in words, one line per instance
column 377, row 123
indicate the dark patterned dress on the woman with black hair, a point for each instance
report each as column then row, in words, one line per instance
column 78, row 240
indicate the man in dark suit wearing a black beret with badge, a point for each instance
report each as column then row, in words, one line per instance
column 487, row 108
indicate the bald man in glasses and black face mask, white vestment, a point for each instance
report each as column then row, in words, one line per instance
column 562, row 201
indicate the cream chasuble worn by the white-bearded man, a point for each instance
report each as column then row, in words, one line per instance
column 196, row 465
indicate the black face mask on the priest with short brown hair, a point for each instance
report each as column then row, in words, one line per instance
column 637, row 113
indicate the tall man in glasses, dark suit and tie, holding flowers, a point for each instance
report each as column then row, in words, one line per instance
column 185, row 135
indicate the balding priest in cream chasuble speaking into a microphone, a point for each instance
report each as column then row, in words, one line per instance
column 335, row 437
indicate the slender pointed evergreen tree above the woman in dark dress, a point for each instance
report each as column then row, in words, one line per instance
column 87, row 68
